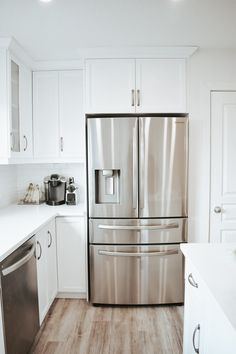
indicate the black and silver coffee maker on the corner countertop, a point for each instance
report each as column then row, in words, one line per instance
column 55, row 189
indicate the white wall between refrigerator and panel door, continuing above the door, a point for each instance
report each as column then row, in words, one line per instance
column 208, row 69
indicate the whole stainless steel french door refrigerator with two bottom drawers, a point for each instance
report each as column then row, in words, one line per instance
column 137, row 210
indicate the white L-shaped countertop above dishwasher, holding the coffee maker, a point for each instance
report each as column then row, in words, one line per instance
column 19, row 222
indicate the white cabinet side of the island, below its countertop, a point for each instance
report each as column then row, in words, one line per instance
column 206, row 328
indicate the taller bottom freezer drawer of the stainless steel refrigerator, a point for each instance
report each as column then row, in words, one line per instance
column 136, row 275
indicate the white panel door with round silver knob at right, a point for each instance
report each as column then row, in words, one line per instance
column 223, row 167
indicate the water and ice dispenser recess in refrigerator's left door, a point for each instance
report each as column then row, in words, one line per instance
column 107, row 186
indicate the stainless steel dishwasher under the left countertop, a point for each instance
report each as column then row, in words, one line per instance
column 20, row 299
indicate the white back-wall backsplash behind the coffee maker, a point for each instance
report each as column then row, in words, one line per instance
column 35, row 173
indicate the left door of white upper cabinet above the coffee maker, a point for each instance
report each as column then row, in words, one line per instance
column 45, row 114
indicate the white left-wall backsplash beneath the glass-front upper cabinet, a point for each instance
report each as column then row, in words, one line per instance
column 8, row 192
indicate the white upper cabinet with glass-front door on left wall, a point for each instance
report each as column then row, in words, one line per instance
column 15, row 108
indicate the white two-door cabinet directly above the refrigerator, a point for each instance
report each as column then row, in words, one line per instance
column 136, row 85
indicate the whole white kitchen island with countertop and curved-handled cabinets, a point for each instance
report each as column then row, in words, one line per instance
column 210, row 298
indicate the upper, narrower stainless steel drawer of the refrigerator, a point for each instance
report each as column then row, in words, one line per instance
column 141, row 231
